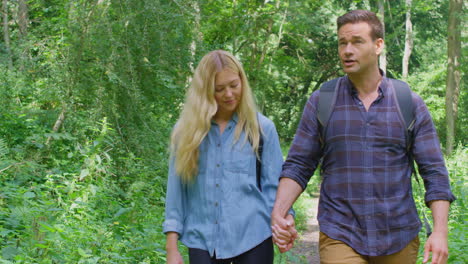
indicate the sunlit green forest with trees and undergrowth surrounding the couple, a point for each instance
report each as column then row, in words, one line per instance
column 90, row 91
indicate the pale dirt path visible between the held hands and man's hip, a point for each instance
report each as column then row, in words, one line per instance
column 306, row 247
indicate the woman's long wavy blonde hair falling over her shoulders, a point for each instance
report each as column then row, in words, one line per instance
column 200, row 107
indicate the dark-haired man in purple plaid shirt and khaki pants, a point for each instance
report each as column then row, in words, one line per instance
column 366, row 211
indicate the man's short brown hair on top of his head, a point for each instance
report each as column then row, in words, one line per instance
column 356, row 16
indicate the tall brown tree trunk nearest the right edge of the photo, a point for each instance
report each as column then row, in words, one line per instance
column 453, row 71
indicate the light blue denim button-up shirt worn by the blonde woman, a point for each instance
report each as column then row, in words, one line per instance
column 223, row 210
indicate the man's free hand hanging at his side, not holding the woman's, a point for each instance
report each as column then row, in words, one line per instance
column 437, row 244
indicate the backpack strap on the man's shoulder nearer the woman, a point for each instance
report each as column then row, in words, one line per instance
column 327, row 99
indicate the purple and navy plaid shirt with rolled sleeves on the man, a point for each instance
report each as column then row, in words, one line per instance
column 366, row 198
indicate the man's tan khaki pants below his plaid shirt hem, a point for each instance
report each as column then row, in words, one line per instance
column 337, row 252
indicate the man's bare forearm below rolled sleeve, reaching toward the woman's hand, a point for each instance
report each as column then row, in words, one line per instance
column 288, row 191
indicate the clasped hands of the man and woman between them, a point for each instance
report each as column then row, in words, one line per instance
column 284, row 232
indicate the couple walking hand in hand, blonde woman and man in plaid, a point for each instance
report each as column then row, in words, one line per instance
column 230, row 196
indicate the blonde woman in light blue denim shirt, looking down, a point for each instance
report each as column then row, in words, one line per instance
column 216, row 205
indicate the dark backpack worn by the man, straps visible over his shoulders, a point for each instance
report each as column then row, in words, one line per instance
column 326, row 104
